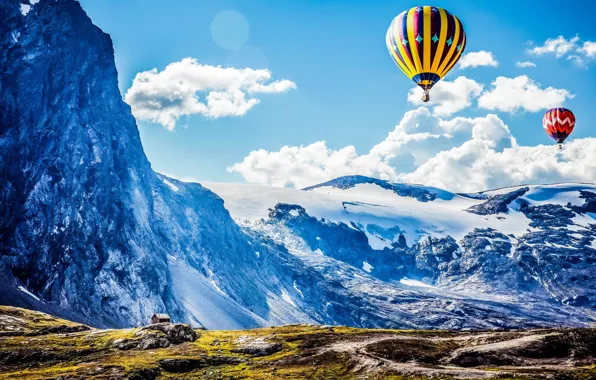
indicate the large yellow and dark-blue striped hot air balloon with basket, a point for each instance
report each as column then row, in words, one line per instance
column 425, row 43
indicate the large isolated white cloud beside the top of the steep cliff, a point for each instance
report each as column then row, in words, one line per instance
column 163, row 97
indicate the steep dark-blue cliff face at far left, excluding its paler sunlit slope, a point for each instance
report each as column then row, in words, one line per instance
column 75, row 183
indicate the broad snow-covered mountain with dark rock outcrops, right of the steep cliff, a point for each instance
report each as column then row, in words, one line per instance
column 515, row 246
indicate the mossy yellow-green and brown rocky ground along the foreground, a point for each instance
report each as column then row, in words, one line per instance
column 35, row 345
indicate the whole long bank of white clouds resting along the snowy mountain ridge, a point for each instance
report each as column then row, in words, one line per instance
column 460, row 154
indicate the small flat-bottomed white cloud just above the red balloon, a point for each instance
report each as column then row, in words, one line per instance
column 521, row 93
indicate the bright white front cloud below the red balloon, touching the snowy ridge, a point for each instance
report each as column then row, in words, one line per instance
column 474, row 166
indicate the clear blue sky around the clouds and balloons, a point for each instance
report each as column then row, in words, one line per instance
column 349, row 92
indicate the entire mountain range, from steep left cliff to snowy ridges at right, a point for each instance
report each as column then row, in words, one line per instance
column 90, row 232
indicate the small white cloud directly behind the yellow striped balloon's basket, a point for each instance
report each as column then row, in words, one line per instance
column 448, row 97
